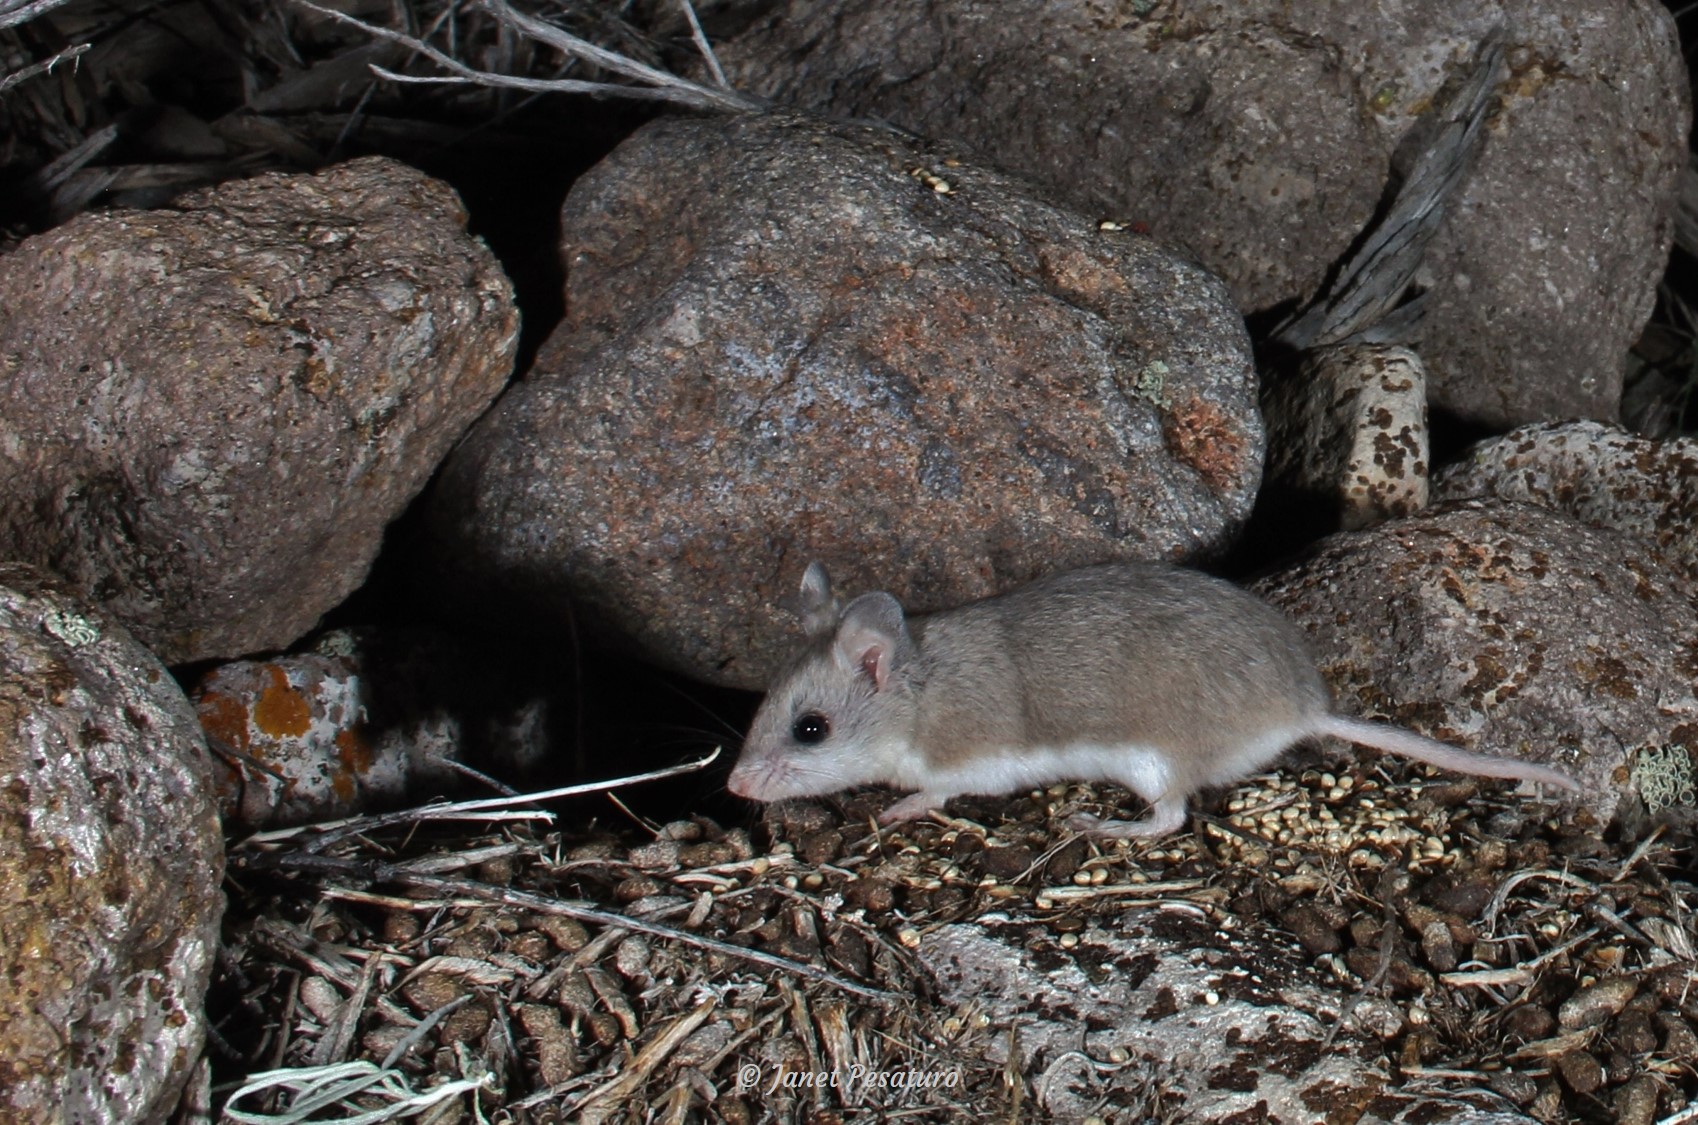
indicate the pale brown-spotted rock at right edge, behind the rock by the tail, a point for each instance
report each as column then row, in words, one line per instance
column 1599, row 474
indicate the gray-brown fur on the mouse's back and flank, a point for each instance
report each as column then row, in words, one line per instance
column 1139, row 654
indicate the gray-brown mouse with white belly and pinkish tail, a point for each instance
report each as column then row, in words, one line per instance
column 1154, row 676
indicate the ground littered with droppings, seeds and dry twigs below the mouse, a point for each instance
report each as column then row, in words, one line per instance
column 1427, row 941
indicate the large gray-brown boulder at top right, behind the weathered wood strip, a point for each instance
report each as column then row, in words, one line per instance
column 1261, row 135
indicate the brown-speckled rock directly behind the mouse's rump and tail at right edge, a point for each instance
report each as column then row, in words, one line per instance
column 1510, row 630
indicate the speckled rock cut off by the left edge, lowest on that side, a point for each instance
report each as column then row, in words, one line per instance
column 111, row 859
